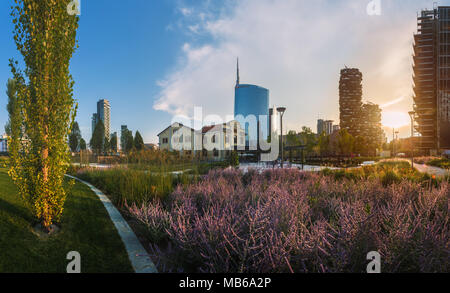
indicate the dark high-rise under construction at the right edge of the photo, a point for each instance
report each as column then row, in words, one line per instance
column 432, row 79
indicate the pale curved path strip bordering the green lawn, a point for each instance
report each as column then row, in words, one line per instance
column 138, row 256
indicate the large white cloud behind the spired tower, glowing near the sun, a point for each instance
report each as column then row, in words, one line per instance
column 296, row 49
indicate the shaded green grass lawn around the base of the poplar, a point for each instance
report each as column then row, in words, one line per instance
column 85, row 227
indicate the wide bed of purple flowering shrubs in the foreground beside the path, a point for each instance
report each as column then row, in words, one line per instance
column 289, row 221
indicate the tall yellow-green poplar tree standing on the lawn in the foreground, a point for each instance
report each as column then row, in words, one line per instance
column 45, row 35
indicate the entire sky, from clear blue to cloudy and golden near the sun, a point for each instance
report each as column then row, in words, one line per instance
column 157, row 60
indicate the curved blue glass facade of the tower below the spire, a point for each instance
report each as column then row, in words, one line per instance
column 252, row 107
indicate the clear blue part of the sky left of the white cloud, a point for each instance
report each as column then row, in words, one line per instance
column 124, row 50
